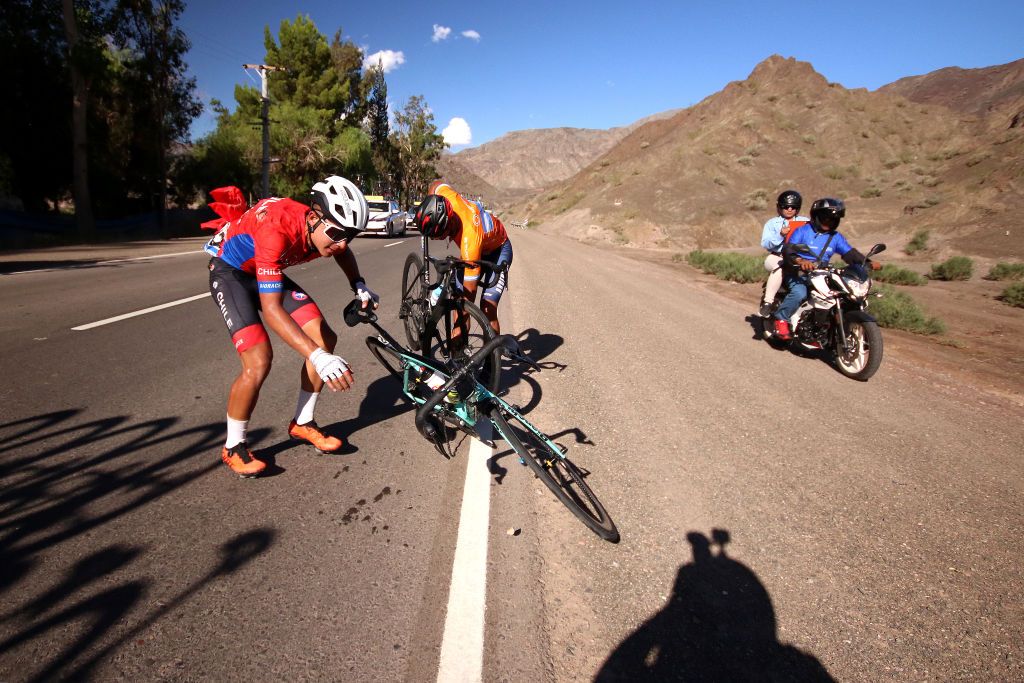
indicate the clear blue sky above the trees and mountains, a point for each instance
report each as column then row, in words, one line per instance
column 510, row 66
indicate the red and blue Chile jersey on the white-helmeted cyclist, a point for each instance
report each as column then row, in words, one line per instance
column 268, row 239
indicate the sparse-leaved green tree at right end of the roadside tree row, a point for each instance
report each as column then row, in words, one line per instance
column 419, row 146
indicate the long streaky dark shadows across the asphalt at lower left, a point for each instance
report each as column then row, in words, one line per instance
column 62, row 480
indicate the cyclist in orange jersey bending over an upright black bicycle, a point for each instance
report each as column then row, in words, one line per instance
column 481, row 235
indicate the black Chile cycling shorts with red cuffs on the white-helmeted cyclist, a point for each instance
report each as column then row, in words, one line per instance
column 236, row 296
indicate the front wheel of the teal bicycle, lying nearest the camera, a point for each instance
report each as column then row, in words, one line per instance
column 558, row 473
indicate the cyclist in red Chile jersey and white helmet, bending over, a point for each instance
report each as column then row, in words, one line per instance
column 250, row 253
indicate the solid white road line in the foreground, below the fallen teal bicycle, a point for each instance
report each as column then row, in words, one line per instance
column 462, row 645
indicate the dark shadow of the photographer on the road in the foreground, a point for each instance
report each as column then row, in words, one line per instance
column 718, row 626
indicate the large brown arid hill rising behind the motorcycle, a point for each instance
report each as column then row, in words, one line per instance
column 708, row 177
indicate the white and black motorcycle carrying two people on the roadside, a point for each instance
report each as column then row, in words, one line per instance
column 834, row 318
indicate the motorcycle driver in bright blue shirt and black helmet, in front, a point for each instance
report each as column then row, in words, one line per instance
column 823, row 239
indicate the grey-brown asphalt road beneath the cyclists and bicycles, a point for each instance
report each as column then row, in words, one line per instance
column 779, row 521
